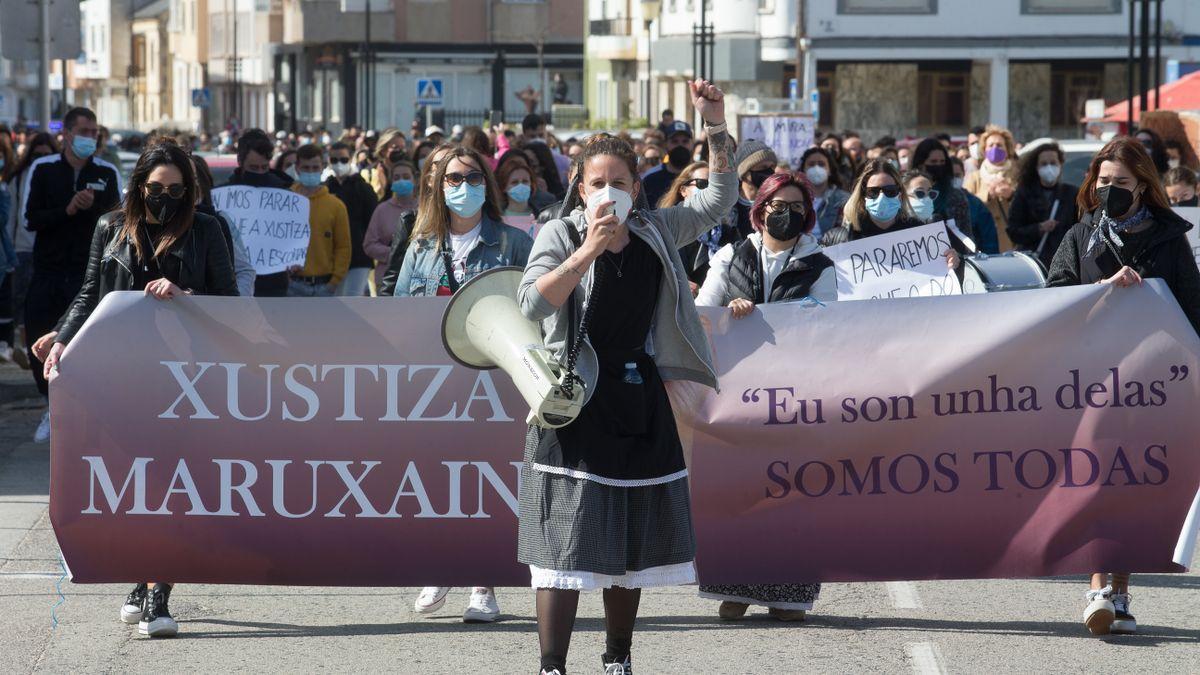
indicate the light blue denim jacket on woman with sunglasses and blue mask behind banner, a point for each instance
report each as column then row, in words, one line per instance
column 500, row 246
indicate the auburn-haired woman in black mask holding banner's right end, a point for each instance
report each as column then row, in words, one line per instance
column 1127, row 234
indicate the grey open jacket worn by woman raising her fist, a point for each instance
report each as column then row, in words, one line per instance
column 677, row 341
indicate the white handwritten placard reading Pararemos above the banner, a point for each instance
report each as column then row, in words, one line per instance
column 909, row 264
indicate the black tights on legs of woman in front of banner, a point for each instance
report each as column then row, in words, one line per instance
column 556, row 622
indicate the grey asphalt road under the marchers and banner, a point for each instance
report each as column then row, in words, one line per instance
column 922, row 628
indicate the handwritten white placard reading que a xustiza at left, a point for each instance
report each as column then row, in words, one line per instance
column 274, row 224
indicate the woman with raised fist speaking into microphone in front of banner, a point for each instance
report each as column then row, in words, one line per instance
column 604, row 500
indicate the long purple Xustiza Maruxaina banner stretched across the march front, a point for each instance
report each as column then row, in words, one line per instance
column 254, row 450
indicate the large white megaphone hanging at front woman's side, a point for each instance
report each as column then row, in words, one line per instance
column 484, row 328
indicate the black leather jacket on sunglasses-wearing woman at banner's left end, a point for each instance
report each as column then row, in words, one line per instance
column 203, row 268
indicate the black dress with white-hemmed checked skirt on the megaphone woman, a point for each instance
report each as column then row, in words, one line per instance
column 604, row 500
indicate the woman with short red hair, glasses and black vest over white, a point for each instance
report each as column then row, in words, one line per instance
column 782, row 261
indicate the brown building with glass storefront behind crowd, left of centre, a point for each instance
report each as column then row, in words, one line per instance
column 488, row 56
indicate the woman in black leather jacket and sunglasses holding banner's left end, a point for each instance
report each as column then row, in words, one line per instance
column 160, row 244
